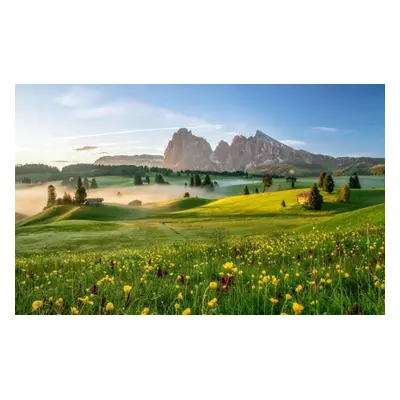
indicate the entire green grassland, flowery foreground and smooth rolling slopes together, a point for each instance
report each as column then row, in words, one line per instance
column 233, row 255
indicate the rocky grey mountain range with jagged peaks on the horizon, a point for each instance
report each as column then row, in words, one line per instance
column 260, row 153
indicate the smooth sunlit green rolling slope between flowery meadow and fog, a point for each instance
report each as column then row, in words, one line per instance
column 115, row 226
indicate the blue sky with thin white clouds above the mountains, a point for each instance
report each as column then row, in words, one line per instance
column 66, row 124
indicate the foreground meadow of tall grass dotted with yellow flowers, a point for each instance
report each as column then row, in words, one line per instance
column 285, row 274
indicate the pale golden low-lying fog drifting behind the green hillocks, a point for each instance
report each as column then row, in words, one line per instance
column 31, row 200
